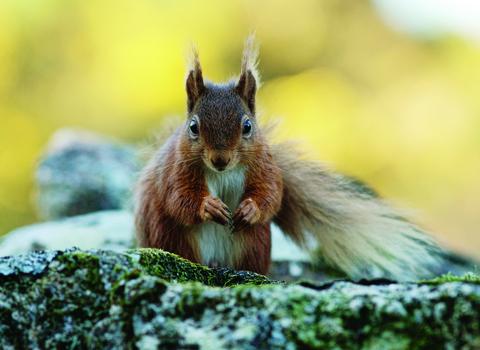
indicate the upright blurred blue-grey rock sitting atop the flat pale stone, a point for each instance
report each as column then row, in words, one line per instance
column 82, row 172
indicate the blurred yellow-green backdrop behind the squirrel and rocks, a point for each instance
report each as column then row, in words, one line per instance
column 398, row 111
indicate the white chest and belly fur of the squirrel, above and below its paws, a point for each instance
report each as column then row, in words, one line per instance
column 217, row 246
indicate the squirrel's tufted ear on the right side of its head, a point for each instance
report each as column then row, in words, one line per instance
column 248, row 82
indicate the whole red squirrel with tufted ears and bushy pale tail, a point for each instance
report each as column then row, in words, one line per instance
column 211, row 192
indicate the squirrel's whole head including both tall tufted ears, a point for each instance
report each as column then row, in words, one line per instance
column 221, row 124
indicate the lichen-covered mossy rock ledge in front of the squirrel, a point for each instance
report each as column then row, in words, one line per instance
column 148, row 299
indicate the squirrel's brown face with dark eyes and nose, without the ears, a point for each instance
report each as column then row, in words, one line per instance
column 220, row 128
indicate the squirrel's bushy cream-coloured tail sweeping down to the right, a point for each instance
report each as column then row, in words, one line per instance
column 348, row 224
